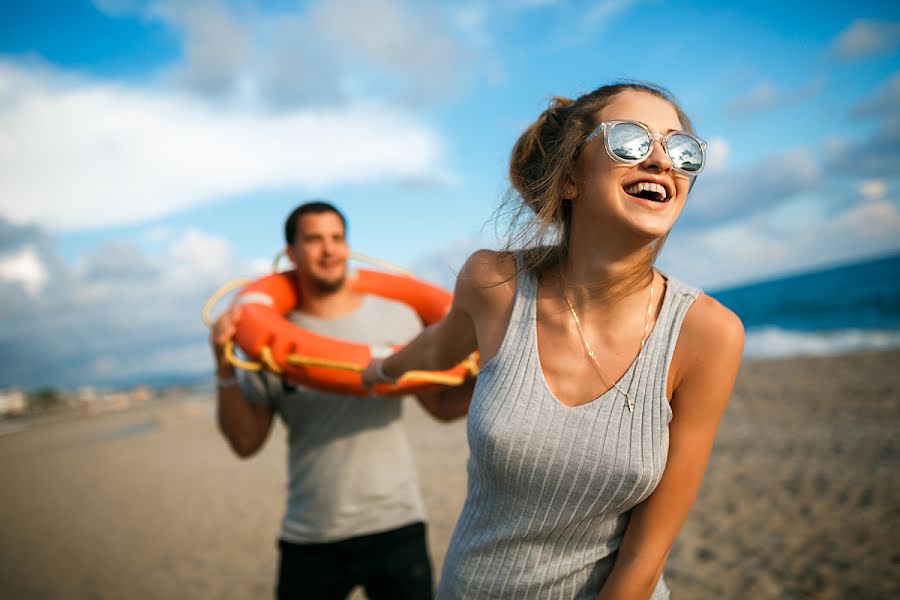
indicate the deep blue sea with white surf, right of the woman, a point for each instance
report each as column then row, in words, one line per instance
column 832, row 311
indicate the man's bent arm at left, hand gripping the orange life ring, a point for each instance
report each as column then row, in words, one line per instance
column 245, row 425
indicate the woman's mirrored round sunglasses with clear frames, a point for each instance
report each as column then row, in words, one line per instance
column 631, row 142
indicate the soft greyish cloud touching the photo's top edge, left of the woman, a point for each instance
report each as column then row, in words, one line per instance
column 324, row 51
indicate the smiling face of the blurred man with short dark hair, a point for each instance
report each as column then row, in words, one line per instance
column 320, row 251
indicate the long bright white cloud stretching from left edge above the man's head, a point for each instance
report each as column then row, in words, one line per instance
column 79, row 154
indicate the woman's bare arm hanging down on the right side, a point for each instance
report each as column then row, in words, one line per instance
column 703, row 372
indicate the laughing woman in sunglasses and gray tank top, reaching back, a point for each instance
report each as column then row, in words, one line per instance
column 603, row 380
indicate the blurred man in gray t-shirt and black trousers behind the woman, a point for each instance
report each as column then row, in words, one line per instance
column 354, row 513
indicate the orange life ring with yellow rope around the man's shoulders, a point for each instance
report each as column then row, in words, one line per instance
column 303, row 357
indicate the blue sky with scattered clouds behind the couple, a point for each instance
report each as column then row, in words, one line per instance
column 151, row 149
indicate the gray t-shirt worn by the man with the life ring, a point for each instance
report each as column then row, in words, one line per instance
column 350, row 467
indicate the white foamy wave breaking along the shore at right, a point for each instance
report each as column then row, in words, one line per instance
column 777, row 342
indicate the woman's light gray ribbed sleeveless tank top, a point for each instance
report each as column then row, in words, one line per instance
column 551, row 487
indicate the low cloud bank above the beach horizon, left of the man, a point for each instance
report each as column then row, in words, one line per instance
column 97, row 324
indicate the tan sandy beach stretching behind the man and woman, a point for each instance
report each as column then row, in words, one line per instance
column 801, row 499
